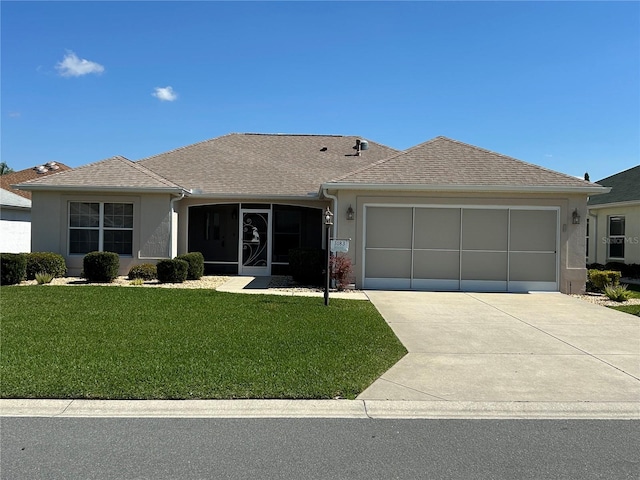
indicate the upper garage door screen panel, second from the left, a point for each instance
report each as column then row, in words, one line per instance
column 437, row 228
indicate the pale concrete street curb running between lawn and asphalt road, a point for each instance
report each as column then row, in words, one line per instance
column 357, row 409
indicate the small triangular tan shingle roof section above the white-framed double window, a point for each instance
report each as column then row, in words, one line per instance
column 115, row 173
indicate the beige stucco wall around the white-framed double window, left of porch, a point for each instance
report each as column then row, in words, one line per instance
column 152, row 223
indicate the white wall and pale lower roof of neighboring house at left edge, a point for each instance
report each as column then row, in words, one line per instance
column 15, row 223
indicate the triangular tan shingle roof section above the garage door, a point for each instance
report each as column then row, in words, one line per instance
column 443, row 162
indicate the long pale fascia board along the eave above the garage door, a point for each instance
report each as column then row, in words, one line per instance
column 466, row 188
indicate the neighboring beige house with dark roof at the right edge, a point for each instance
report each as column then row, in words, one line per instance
column 613, row 228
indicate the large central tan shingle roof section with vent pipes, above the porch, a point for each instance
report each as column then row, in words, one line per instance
column 264, row 164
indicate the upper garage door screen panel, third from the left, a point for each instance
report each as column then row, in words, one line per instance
column 484, row 229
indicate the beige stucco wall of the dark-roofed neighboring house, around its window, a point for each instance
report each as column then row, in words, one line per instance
column 598, row 235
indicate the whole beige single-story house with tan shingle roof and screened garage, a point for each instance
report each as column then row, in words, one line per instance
column 443, row 215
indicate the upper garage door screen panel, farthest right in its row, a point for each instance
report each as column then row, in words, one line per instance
column 533, row 230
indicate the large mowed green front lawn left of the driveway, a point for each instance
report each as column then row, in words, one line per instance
column 139, row 343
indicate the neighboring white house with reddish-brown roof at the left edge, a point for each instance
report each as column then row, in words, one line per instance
column 15, row 207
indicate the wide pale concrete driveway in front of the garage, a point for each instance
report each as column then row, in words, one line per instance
column 493, row 347
